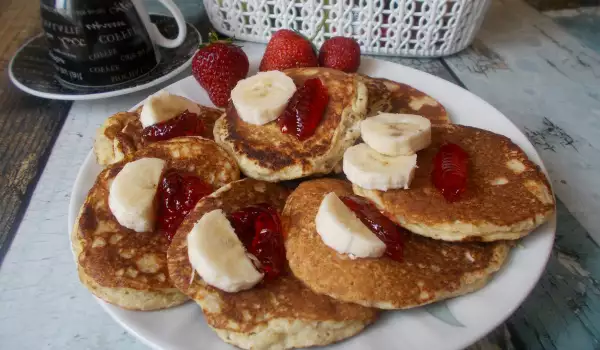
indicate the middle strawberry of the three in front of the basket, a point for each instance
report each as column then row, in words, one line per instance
column 288, row 49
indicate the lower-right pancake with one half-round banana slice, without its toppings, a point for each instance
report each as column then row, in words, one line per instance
column 431, row 270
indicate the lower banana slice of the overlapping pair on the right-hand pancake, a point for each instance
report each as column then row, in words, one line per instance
column 371, row 170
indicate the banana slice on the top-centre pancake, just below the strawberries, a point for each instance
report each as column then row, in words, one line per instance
column 261, row 98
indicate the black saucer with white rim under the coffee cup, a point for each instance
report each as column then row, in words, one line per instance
column 31, row 70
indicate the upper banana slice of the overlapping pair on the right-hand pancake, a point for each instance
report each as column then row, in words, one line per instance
column 396, row 134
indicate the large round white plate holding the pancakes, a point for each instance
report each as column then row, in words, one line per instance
column 449, row 325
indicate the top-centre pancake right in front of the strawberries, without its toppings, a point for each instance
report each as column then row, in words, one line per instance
column 265, row 153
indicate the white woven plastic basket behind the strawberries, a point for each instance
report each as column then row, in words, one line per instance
column 415, row 28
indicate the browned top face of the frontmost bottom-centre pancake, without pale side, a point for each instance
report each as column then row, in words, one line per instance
column 285, row 298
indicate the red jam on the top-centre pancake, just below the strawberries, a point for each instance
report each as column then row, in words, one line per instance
column 305, row 109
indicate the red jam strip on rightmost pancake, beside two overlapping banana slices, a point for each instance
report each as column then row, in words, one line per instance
column 450, row 171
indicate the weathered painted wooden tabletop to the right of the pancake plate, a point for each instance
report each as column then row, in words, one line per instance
column 546, row 81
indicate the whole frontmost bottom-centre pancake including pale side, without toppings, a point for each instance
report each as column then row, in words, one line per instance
column 277, row 314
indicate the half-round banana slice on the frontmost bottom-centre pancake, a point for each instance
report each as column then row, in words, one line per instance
column 218, row 255
